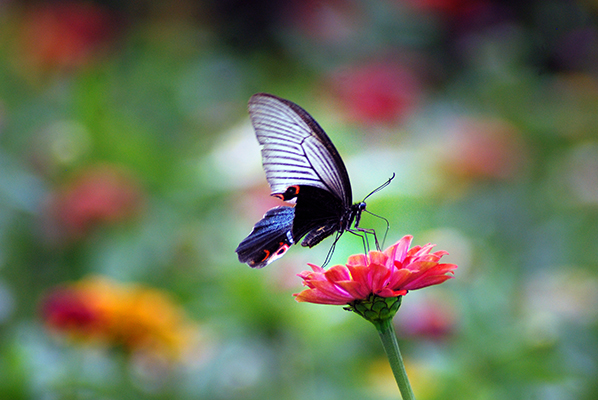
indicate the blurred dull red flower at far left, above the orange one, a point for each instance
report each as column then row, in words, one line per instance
column 98, row 195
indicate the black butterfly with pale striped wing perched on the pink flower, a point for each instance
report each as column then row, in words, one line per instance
column 301, row 165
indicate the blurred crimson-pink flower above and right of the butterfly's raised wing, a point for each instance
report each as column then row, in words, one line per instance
column 381, row 92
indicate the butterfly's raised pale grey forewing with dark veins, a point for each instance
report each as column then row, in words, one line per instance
column 295, row 149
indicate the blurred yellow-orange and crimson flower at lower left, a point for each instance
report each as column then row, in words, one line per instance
column 138, row 318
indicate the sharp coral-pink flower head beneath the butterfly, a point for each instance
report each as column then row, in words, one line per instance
column 391, row 273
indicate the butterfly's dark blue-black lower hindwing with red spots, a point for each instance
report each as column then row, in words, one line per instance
column 270, row 238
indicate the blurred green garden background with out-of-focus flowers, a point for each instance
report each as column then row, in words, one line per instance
column 129, row 172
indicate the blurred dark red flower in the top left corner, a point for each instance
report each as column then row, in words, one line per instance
column 64, row 35
